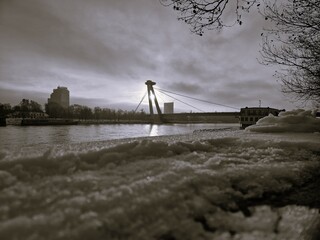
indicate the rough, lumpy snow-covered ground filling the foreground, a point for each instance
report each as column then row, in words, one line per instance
column 230, row 184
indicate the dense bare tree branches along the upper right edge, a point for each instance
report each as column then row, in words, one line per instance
column 293, row 43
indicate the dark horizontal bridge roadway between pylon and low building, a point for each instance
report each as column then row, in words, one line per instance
column 206, row 117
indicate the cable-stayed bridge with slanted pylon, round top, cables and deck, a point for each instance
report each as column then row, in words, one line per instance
column 157, row 116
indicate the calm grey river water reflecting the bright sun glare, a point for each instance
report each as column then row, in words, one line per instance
column 18, row 137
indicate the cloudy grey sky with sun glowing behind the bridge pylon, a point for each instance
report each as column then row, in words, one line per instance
column 104, row 51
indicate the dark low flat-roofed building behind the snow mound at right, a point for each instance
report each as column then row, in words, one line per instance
column 250, row 115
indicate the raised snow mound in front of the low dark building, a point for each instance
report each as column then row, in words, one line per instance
column 298, row 120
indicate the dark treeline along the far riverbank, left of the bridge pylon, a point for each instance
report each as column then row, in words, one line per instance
column 27, row 108
